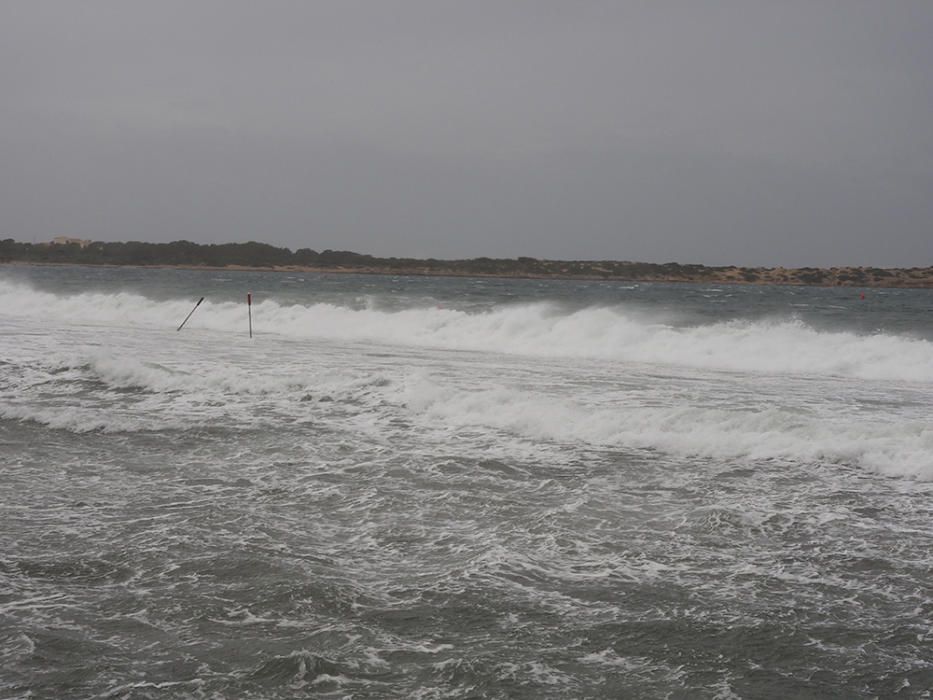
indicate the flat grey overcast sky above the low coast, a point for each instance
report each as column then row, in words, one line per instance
column 761, row 133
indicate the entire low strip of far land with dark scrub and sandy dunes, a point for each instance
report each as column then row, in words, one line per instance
column 262, row 256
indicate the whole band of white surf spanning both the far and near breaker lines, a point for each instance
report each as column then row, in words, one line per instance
column 749, row 414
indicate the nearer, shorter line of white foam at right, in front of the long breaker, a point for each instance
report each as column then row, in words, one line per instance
column 767, row 433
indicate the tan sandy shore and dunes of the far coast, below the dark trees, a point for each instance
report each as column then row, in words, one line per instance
column 897, row 278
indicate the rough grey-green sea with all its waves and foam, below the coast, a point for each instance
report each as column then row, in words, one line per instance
column 430, row 487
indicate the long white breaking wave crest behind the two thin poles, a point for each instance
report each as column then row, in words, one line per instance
column 540, row 329
